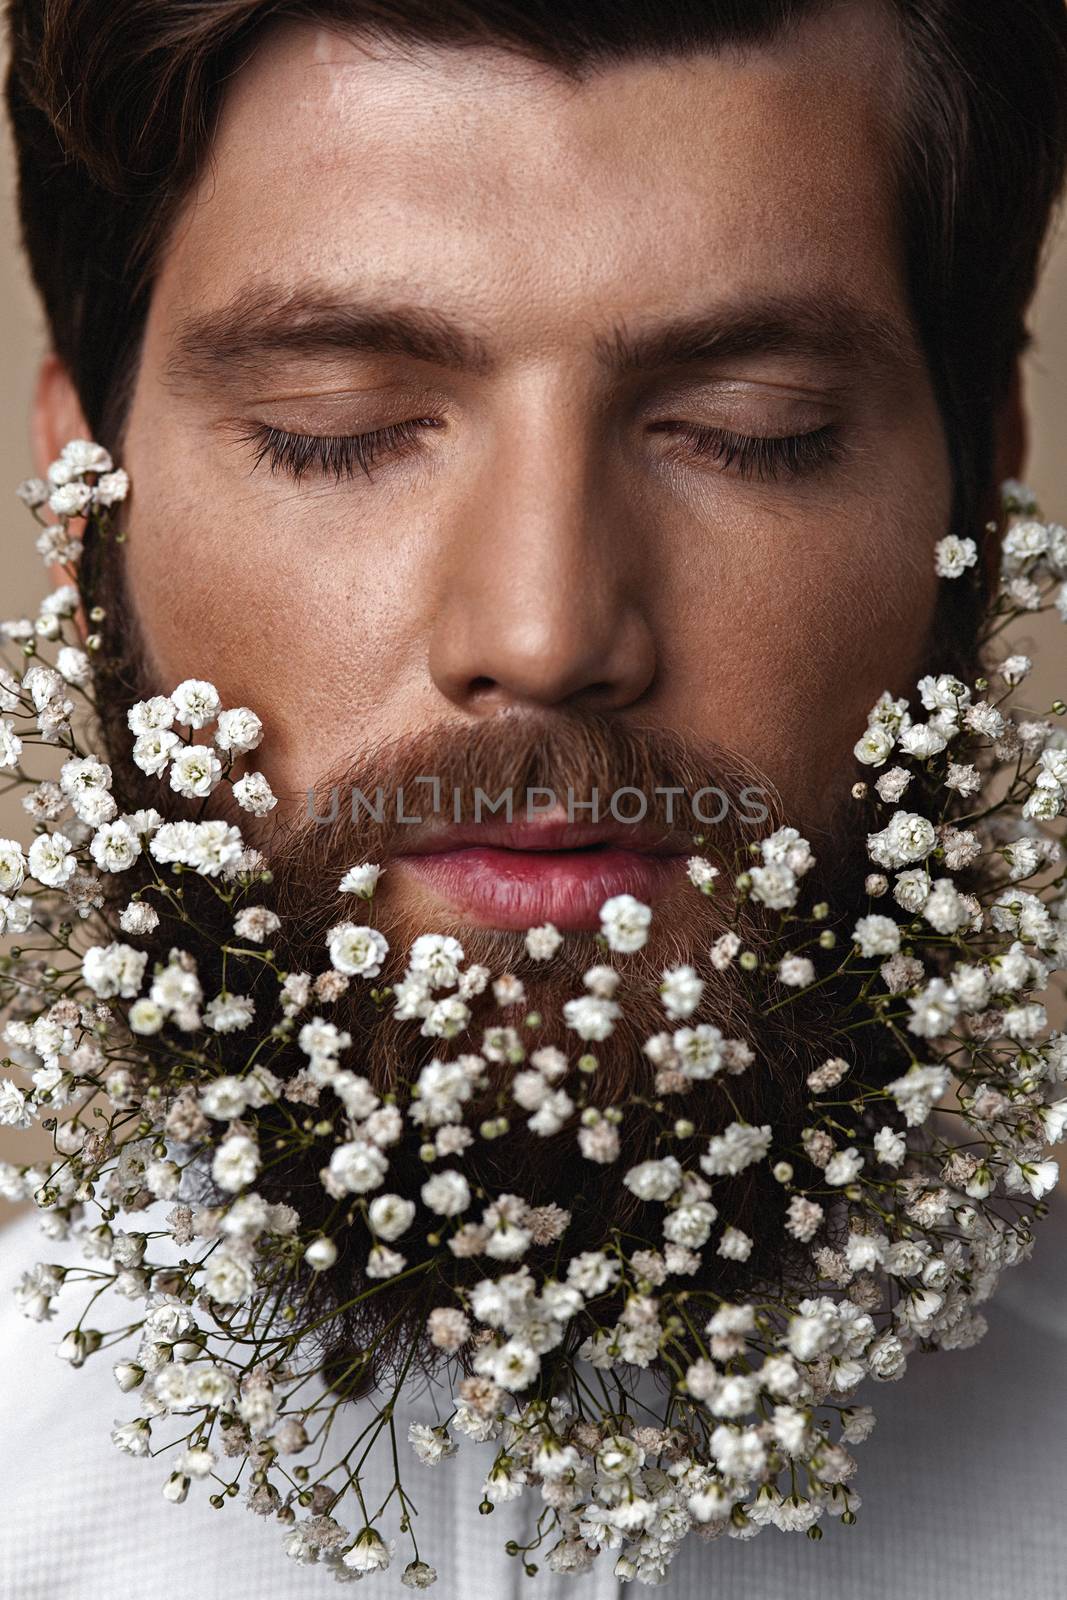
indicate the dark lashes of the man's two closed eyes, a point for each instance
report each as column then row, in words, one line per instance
column 342, row 457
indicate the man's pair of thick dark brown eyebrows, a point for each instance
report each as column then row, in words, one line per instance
column 262, row 324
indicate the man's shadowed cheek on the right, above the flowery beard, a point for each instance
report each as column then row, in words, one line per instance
column 801, row 623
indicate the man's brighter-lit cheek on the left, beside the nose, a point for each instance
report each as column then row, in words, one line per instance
column 284, row 610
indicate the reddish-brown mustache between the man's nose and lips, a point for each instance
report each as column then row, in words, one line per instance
column 578, row 758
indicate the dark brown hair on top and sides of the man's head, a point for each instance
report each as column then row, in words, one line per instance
column 114, row 105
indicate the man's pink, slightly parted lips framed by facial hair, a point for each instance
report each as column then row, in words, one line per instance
column 519, row 876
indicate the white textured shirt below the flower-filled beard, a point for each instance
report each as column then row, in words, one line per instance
column 962, row 1486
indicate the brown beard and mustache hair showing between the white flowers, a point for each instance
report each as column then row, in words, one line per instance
column 783, row 1034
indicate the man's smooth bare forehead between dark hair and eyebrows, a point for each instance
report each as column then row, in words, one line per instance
column 503, row 188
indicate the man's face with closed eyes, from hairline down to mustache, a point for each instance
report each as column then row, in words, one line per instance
column 660, row 441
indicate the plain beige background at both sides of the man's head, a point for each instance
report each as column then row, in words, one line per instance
column 23, row 342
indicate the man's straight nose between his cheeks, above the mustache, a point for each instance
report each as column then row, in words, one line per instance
column 543, row 601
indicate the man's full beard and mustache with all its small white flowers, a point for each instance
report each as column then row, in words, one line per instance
column 649, row 1204
